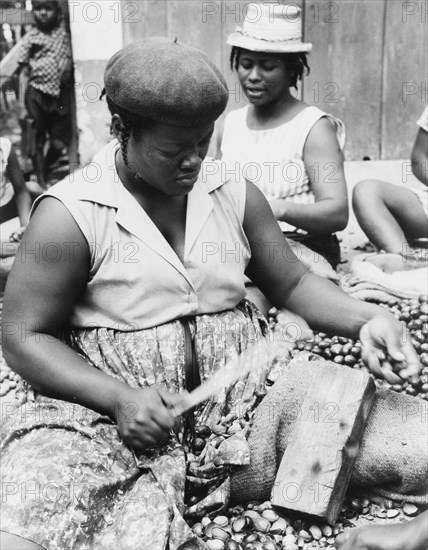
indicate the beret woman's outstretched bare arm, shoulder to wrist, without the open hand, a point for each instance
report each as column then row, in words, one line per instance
column 287, row 283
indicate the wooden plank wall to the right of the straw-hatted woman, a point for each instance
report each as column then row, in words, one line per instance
column 369, row 67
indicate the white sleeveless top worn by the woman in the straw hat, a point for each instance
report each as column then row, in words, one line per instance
column 272, row 159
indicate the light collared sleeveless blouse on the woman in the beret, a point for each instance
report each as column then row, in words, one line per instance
column 136, row 280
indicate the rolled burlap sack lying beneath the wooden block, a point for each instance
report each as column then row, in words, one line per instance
column 392, row 461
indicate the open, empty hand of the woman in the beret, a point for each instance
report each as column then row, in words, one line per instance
column 383, row 339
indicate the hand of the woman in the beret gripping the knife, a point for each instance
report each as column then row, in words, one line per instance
column 144, row 416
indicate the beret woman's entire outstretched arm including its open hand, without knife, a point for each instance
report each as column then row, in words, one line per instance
column 285, row 281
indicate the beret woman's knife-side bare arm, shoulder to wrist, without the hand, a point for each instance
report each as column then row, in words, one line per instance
column 39, row 298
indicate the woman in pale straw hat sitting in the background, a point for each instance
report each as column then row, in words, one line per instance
column 290, row 150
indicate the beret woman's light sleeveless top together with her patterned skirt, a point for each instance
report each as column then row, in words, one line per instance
column 68, row 480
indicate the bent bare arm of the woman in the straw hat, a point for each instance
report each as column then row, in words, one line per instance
column 324, row 165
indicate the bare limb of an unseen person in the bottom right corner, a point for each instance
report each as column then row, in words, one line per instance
column 412, row 535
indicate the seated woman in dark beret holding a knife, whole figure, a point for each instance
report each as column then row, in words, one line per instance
column 124, row 294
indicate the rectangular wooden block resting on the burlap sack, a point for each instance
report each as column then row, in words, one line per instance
column 316, row 467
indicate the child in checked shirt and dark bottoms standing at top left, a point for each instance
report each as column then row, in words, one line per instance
column 45, row 70
